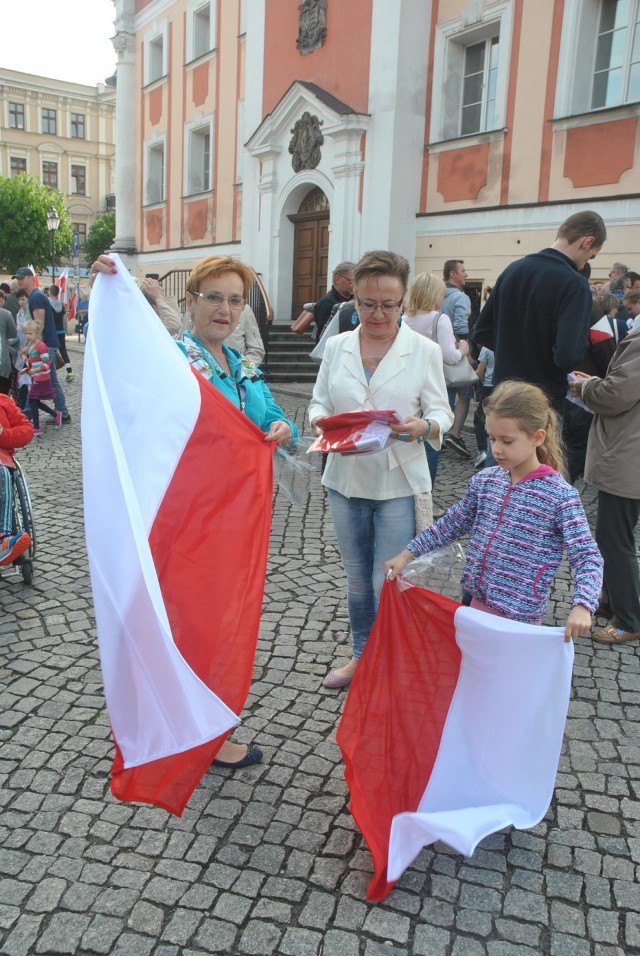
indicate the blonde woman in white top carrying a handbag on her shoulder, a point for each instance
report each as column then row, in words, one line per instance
column 424, row 317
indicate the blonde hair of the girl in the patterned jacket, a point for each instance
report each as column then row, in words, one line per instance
column 530, row 407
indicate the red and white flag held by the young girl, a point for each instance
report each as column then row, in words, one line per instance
column 452, row 728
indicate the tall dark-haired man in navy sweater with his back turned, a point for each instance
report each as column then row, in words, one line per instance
column 537, row 318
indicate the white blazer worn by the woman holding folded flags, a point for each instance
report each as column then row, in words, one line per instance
column 410, row 380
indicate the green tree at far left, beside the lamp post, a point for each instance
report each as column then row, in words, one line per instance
column 24, row 237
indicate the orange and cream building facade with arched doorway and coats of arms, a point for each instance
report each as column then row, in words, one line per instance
column 299, row 135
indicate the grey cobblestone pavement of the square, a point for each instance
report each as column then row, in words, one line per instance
column 268, row 860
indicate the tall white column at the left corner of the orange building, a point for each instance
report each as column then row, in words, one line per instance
column 126, row 143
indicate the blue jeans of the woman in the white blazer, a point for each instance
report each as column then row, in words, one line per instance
column 369, row 532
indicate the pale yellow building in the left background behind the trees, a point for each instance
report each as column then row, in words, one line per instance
column 63, row 134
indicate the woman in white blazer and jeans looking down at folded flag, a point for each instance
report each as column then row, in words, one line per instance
column 381, row 364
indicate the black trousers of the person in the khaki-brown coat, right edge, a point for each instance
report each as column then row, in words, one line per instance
column 615, row 527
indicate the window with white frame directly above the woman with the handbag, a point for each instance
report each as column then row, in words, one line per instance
column 479, row 86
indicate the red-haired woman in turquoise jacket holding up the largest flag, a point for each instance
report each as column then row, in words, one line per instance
column 216, row 292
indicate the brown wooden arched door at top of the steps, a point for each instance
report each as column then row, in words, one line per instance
column 310, row 250
